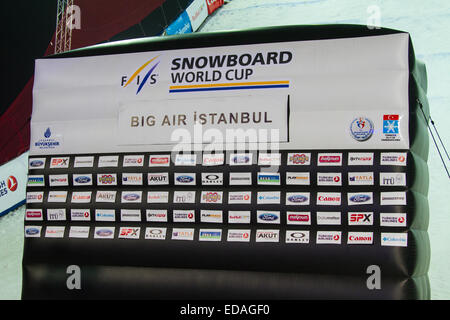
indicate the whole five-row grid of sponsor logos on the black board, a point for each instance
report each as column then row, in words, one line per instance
column 168, row 182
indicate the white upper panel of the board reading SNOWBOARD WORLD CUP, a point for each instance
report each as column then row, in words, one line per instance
column 343, row 94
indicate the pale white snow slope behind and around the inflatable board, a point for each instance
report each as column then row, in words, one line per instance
column 428, row 22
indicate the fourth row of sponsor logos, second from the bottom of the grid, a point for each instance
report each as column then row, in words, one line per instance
column 216, row 216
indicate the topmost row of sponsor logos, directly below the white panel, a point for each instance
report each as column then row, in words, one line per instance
column 217, row 159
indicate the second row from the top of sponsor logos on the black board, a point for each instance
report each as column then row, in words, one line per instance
column 386, row 179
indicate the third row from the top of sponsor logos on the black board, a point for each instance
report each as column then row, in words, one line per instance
column 217, row 197
